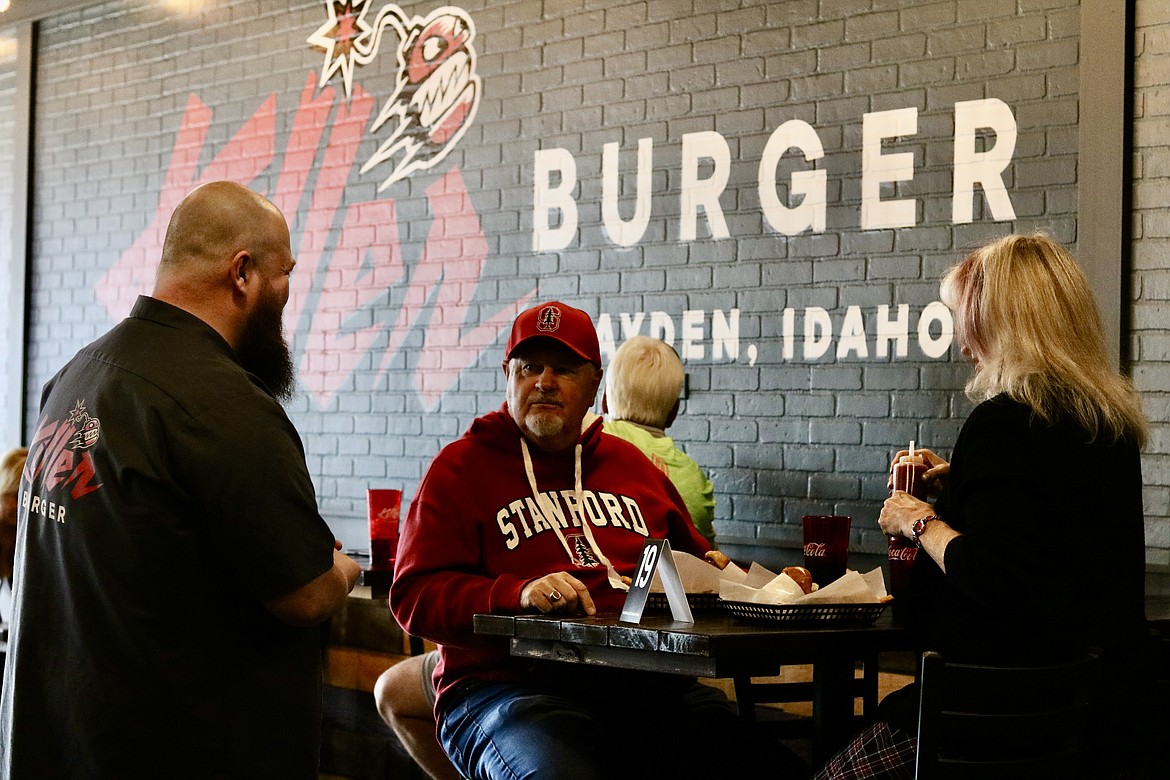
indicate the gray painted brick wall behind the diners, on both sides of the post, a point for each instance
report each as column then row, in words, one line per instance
column 403, row 292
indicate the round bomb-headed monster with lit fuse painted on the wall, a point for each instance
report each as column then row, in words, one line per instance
column 437, row 93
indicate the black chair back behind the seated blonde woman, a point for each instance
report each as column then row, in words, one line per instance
column 1003, row 722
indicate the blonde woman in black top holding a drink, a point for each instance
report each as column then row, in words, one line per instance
column 1043, row 492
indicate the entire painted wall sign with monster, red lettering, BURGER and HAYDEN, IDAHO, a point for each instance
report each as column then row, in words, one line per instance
column 362, row 296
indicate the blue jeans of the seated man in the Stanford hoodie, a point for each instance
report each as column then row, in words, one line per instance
column 505, row 731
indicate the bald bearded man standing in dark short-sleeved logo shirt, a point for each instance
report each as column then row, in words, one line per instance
column 173, row 562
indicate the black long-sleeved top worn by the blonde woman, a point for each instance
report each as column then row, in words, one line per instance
column 1052, row 550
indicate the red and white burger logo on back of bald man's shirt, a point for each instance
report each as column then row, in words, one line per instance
column 60, row 459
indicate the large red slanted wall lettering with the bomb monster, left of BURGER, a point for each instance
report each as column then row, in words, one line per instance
column 354, row 295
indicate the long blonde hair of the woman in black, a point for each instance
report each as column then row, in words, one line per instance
column 1026, row 312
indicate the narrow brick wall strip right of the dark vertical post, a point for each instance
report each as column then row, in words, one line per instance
column 1151, row 292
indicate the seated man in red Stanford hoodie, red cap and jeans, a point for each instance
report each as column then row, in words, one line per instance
column 534, row 510
